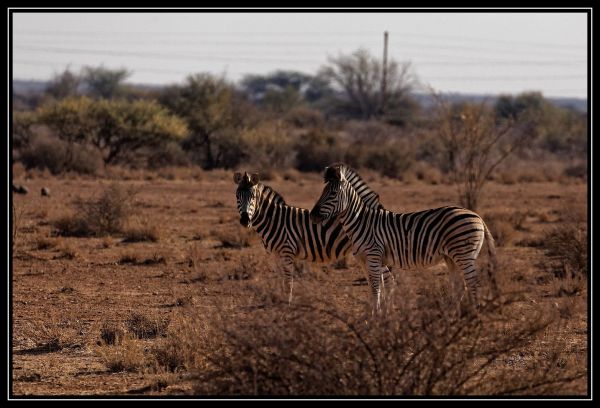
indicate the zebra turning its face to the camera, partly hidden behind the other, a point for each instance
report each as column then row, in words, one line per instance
column 287, row 231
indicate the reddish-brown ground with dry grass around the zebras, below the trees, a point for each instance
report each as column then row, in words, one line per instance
column 229, row 322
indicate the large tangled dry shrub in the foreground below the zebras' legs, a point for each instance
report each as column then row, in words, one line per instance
column 316, row 348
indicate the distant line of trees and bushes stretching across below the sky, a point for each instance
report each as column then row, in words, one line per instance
column 89, row 119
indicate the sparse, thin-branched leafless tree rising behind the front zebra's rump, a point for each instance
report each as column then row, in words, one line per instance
column 475, row 143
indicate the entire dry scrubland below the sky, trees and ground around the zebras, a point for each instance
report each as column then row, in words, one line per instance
column 135, row 277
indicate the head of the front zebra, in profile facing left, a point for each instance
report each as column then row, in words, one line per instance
column 334, row 199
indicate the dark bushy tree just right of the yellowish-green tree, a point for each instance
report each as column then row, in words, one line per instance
column 211, row 108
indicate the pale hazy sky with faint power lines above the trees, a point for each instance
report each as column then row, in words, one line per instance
column 484, row 53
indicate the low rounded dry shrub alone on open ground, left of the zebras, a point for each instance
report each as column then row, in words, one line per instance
column 98, row 216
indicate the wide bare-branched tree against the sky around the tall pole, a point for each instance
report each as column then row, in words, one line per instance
column 359, row 76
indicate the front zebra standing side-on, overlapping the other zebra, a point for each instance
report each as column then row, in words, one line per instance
column 408, row 240
